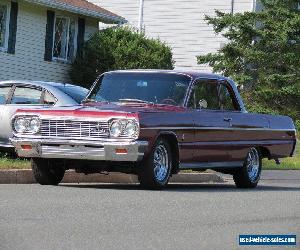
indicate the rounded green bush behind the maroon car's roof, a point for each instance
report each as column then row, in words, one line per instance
column 118, row 48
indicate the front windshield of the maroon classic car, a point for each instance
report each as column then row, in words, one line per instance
column 158, row 88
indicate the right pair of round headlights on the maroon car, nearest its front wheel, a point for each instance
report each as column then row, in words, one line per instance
column 124, row 128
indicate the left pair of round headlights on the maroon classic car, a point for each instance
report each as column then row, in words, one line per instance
column 27, row 125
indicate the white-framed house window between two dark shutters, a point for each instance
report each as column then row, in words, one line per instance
column 64, row 38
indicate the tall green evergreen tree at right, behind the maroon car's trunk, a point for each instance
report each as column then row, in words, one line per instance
column 263, row 54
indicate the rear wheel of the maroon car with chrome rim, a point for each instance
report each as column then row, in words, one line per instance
column 244, row 177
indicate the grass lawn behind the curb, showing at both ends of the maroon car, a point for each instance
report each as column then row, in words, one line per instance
column 286, row 163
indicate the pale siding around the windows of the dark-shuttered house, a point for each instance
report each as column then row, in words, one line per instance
column 28, row 61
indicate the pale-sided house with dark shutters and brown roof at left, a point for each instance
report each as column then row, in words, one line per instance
column 39, row 38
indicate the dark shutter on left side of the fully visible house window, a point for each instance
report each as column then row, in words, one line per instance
column 49, row 35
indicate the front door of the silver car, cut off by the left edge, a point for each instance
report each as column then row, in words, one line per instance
column 5, row 92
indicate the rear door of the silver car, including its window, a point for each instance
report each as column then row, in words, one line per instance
column 21, row 97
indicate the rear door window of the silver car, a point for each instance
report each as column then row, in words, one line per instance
column 23, row 95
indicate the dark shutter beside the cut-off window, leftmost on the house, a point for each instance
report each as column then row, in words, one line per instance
column 13, row 28
